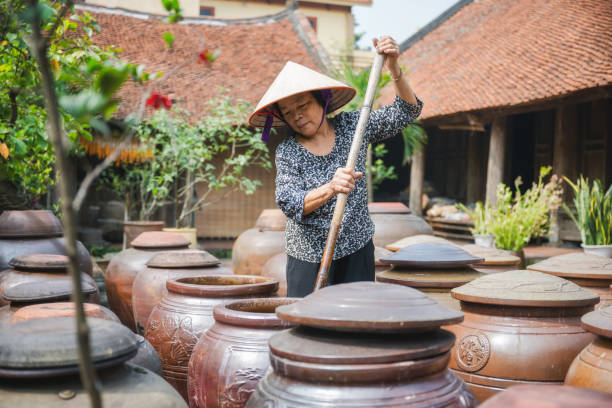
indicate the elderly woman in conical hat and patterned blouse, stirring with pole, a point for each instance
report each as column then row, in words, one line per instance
column 310, row 171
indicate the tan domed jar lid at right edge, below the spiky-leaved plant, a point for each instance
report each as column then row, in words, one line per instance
column 576, row 265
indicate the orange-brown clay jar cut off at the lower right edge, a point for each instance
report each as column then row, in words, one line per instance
column 592, row 368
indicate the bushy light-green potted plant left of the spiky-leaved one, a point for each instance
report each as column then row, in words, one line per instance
column 518, row 217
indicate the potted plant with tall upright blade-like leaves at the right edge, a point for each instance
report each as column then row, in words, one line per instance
column 593, row 216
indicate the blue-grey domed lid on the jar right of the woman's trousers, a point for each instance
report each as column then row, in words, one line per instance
column 431, row 255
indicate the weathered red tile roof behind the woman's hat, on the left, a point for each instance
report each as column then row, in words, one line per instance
column 252, row 52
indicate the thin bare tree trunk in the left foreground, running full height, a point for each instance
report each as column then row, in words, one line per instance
column 39, row 48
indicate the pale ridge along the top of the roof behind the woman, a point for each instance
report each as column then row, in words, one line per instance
column 270, row 18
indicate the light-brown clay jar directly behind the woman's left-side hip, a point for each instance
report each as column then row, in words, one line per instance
column 255, row 246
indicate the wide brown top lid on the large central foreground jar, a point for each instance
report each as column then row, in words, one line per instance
column 369, row 306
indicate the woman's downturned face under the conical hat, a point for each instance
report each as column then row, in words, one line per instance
column 302, row 112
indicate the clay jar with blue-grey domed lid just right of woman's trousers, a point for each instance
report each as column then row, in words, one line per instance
column 431, row 267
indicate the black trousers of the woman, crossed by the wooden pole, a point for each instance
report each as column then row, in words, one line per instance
column 302, row 275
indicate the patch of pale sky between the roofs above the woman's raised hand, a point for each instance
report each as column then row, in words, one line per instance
column 397, row 18
